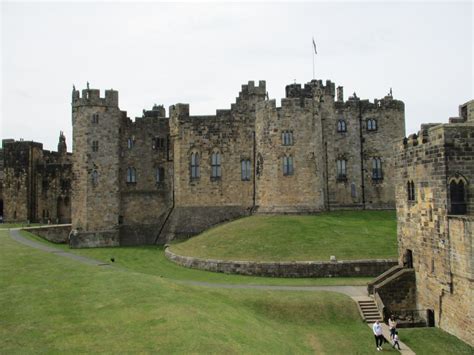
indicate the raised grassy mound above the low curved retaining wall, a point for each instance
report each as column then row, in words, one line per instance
column 349, row 235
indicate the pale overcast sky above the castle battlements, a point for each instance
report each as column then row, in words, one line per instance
column 201, row 54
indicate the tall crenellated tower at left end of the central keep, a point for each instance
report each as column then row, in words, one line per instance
column 96, row 152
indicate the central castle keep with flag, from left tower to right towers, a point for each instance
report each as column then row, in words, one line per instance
column 158, row 178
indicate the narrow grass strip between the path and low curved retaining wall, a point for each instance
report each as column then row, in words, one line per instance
column 151, row 260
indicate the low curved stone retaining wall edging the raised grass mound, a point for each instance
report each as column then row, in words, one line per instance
column 286, row 269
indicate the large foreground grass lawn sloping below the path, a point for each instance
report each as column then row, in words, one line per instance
column 53, row 304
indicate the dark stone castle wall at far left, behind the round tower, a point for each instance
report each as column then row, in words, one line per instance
column 36, row 183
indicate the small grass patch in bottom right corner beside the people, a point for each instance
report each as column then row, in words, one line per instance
column 433, row 341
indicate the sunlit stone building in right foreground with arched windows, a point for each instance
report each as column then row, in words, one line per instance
column 440, row 243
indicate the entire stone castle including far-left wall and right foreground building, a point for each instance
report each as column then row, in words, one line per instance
column 158, row 178
